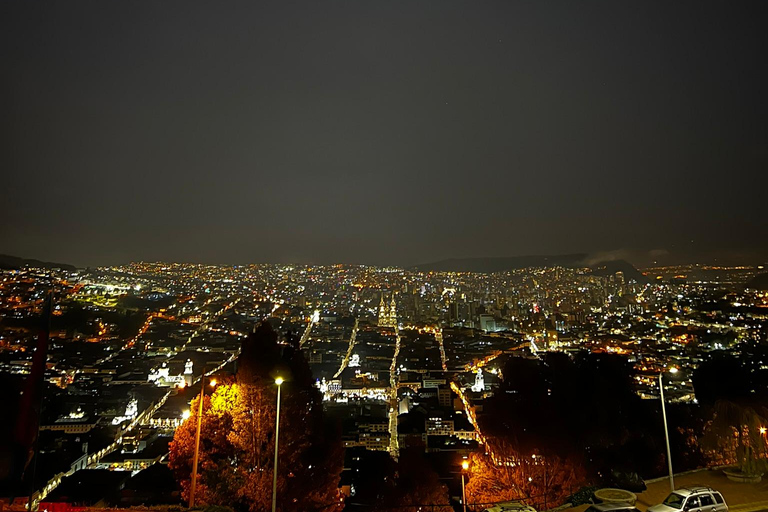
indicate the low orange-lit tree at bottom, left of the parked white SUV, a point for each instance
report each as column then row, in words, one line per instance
column 504, row 474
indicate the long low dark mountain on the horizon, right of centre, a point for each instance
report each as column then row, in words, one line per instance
column 489, row 265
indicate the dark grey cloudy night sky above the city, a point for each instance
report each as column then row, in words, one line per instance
column 381, row 131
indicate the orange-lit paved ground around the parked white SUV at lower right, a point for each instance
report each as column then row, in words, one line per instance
column 740, row 497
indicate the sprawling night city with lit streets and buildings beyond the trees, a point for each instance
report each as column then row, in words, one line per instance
column 401, row 356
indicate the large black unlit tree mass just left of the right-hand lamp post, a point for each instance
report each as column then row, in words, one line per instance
column 582, row 409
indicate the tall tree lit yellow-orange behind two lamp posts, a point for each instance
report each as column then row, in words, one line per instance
column 237, row 439
